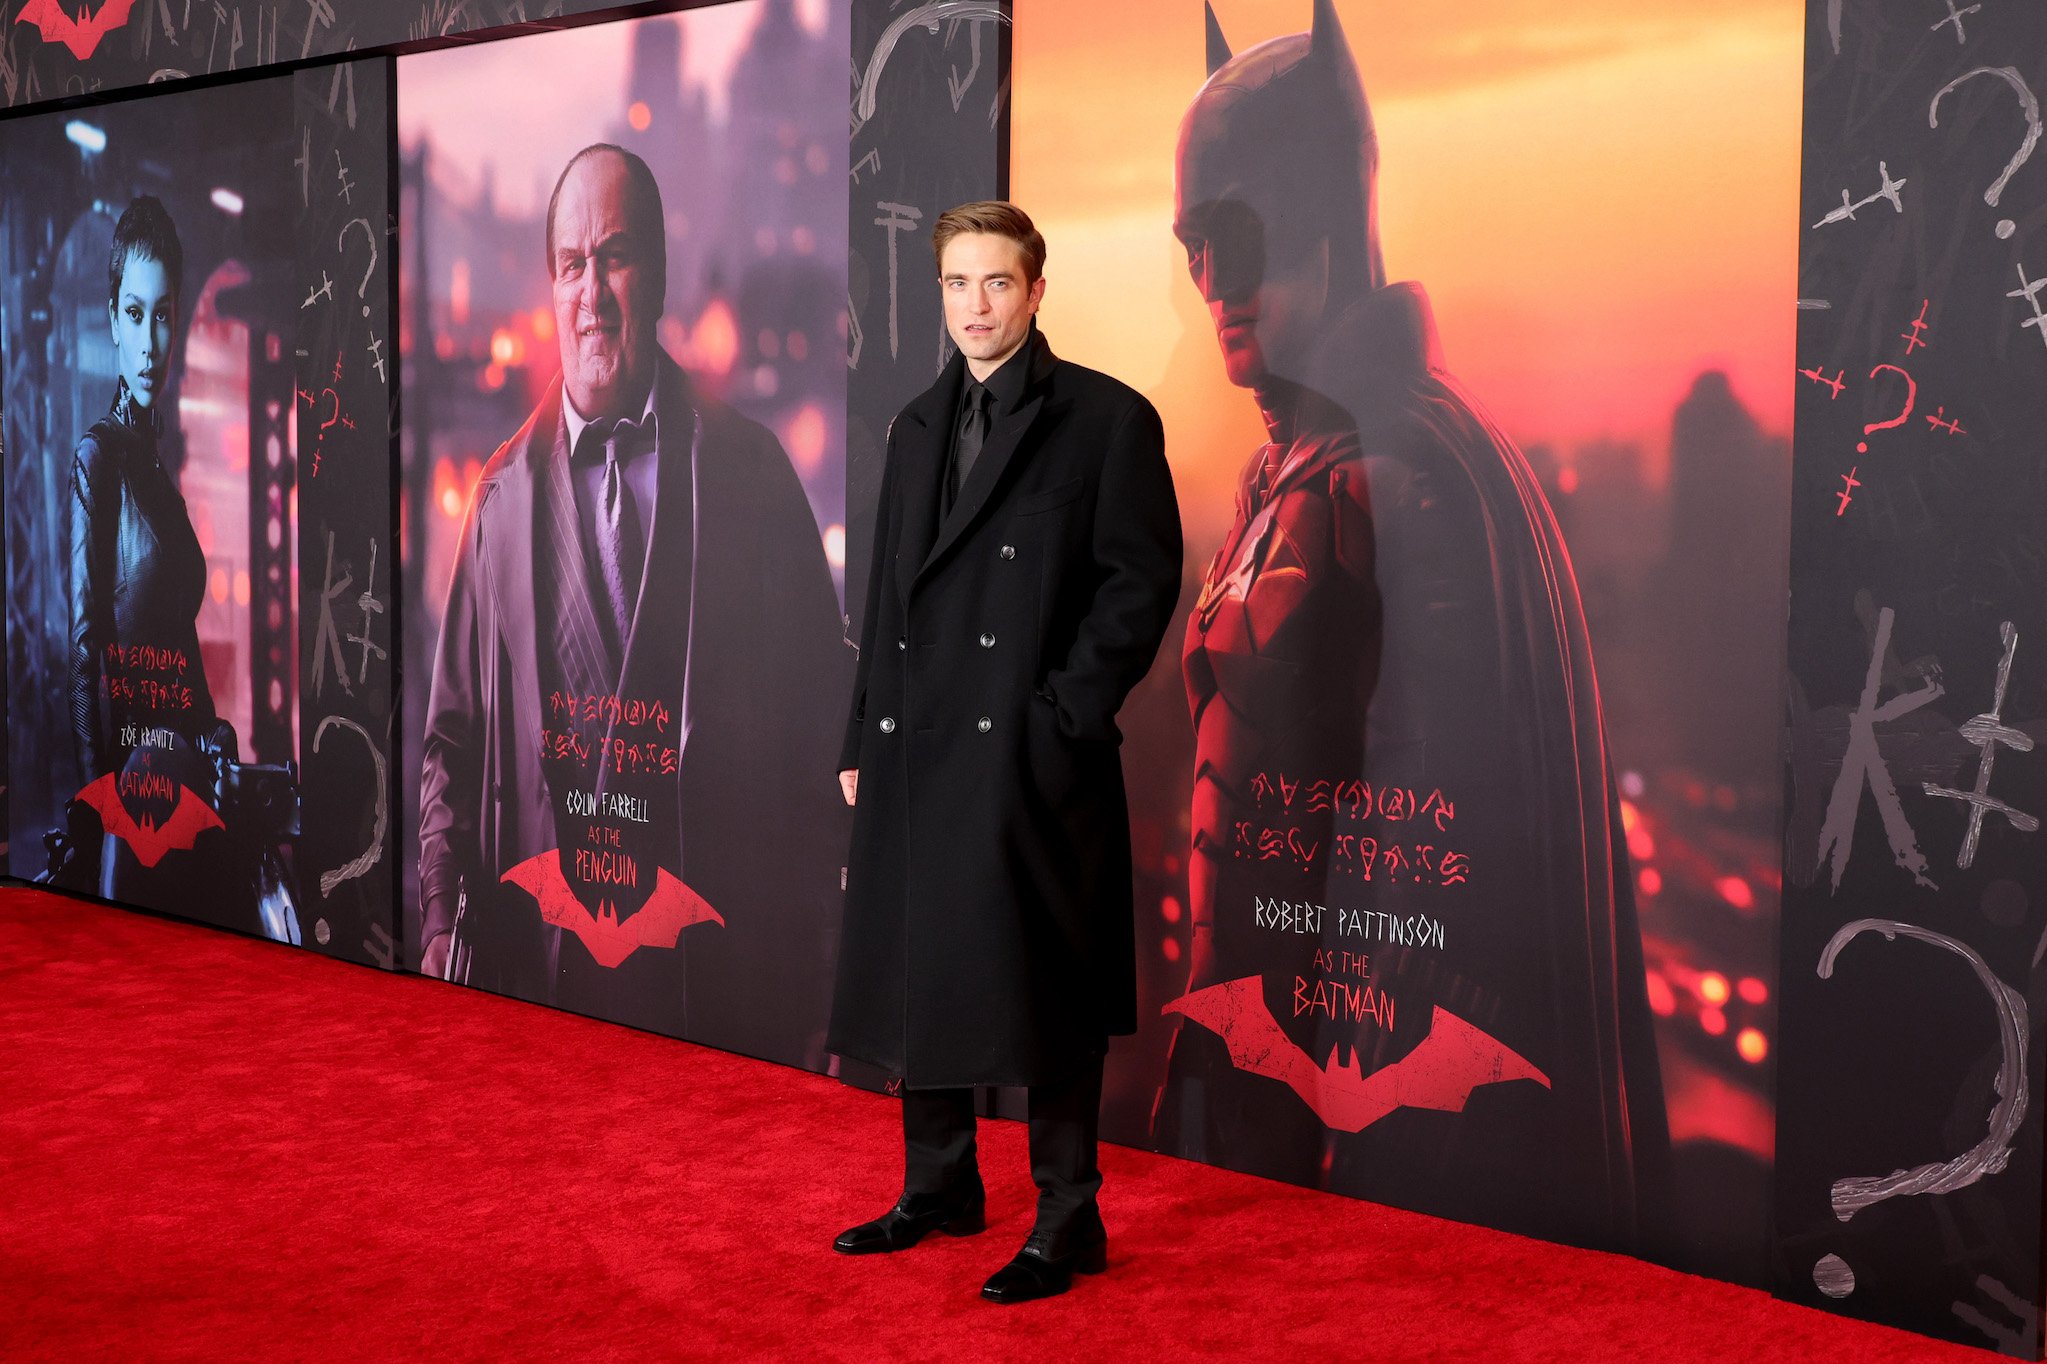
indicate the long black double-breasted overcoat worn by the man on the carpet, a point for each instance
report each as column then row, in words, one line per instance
column 990, row 910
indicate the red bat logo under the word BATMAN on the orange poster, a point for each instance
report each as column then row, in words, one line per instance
column 1440, row 1072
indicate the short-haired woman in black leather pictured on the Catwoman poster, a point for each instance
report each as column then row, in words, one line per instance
column 142, row 712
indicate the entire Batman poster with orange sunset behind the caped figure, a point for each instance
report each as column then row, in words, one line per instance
column 1456, row 800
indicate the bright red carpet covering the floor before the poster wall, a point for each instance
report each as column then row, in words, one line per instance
column 216, row 1148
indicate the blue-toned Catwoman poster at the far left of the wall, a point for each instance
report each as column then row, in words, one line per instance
column 146, row 321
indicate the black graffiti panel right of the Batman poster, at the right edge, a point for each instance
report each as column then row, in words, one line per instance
column 1909, row 1154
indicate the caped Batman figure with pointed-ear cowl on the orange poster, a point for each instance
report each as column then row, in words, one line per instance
column 1403, row 820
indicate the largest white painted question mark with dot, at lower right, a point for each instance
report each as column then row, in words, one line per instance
column 1833, row 1275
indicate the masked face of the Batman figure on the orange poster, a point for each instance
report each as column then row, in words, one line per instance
column 1264, row 280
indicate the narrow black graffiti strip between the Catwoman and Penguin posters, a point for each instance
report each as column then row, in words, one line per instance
column 347, row 415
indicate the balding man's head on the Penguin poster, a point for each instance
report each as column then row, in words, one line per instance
column 605, row 292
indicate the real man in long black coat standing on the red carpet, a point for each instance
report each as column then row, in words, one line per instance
column 1027, row 562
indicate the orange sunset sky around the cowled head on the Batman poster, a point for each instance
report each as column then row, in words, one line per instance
column 1600, row 196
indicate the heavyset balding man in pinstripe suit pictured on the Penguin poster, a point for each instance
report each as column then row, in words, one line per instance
column 638, row 679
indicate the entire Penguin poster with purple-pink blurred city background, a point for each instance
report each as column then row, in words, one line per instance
column 631, row 646
